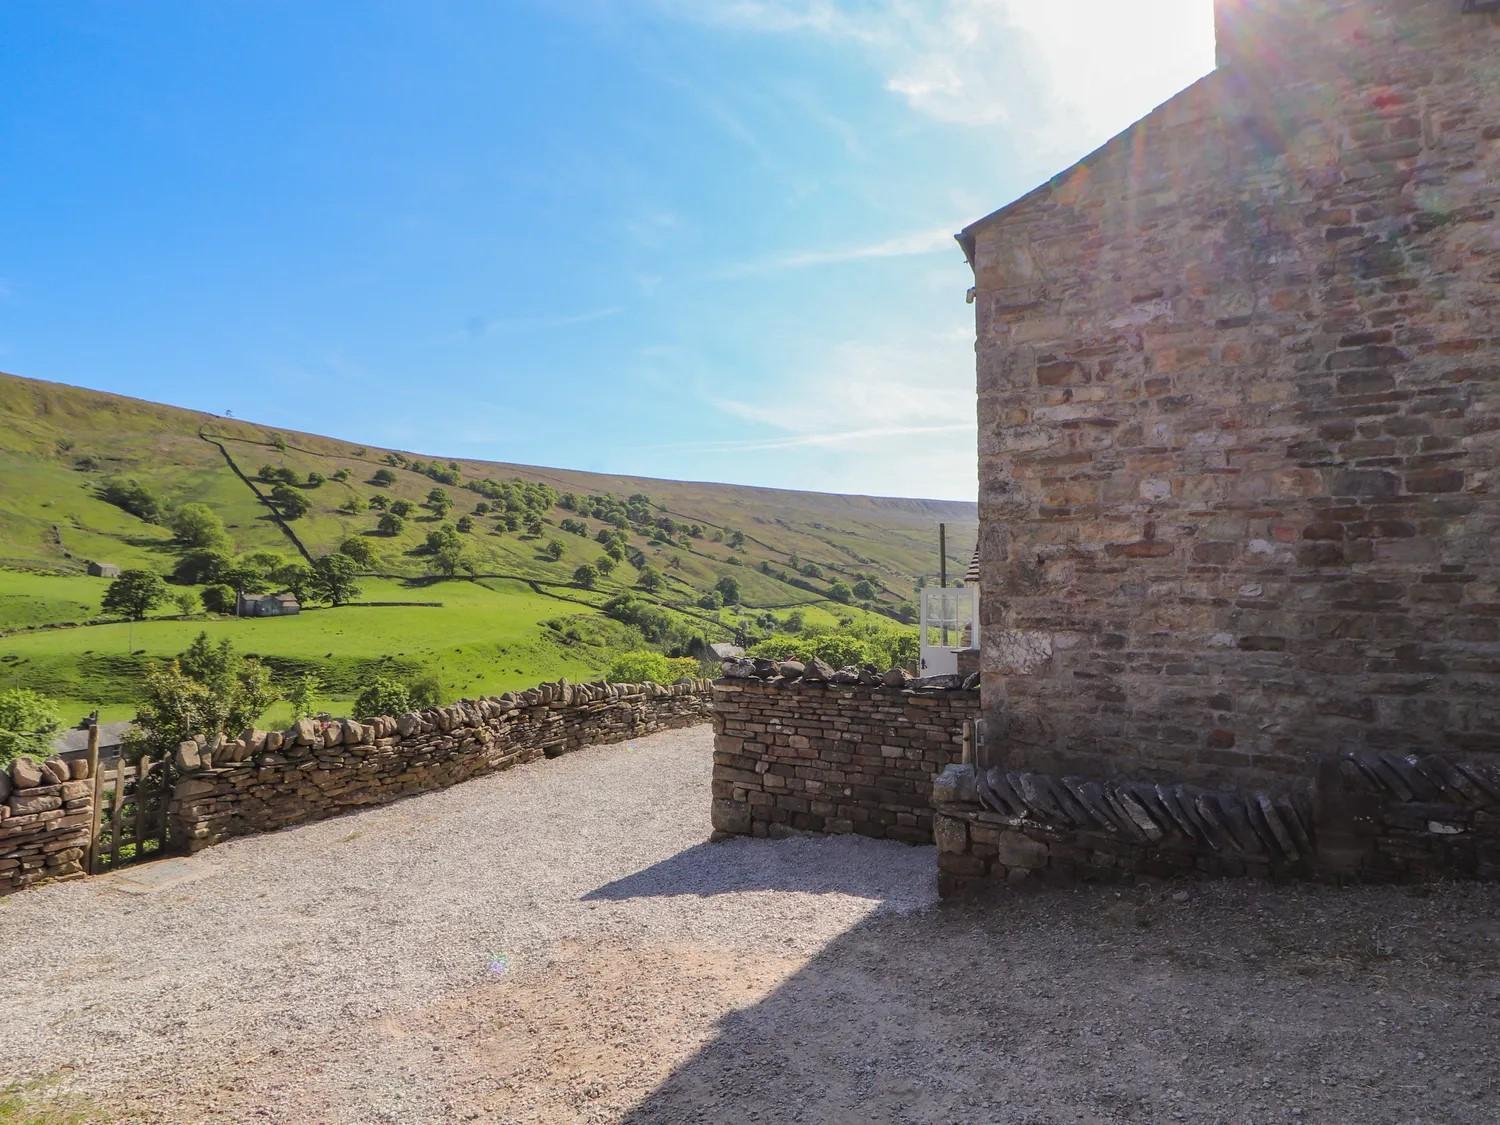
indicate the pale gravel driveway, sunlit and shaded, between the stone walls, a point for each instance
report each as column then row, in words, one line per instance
column 560, row 944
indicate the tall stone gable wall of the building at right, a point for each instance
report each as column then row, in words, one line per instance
column 1240, row 413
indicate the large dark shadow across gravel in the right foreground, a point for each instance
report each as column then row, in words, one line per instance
column 1181, row 1003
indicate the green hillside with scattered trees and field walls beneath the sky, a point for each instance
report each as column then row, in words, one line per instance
column 509, row 614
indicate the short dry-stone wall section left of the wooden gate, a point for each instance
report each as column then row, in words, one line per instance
column 46, row 821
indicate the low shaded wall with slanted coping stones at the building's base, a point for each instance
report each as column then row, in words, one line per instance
column 1370, row 817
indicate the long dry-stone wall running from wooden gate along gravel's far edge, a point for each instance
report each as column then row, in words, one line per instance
column 316, row 770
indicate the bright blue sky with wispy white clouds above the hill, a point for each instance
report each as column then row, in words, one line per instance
column 697, row 239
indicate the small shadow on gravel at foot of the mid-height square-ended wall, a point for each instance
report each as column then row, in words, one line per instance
column 866, row 869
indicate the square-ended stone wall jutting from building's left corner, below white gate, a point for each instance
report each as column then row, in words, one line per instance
column 797, row 755
